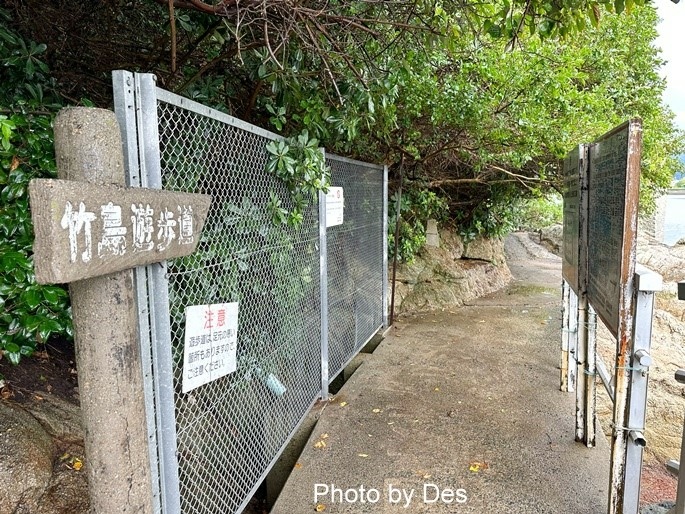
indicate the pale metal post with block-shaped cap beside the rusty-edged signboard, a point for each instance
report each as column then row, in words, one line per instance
column 646, row 283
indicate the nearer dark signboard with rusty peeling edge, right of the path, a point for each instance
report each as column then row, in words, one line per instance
column 613, row 194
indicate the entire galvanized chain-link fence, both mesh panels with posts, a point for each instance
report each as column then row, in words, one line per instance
column 212, row 446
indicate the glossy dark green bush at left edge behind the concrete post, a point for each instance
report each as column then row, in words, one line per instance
column 29, row 313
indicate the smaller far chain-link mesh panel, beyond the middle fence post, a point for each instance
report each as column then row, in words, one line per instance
column 355, row 261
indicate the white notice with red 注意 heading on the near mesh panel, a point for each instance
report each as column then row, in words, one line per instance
column 211, row 340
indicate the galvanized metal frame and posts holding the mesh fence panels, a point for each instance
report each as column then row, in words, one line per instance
column 136, row 99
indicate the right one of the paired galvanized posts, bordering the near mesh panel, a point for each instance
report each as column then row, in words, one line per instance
column 158, row 290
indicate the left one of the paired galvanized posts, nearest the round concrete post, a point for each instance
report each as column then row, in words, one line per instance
column 125, row 110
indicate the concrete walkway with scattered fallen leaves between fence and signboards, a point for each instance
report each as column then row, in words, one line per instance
column 458, row 411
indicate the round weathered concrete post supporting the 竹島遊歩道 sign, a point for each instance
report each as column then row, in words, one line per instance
column 88, row 148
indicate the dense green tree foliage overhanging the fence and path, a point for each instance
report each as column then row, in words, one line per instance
column 478, row 101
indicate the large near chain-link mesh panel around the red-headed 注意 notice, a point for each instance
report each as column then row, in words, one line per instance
column 230, row 430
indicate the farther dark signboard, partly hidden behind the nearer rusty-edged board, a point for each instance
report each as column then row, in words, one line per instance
column 572, row 171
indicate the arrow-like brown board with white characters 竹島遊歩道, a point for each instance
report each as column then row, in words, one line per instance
column 85, row 230
